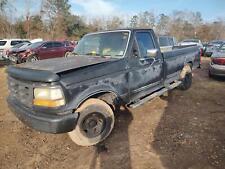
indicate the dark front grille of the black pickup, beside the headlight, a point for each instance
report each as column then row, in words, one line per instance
column 21, row 91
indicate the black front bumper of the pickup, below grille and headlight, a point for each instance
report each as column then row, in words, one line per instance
column 49, row 123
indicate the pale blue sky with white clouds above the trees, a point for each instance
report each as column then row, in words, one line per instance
column 210, row 9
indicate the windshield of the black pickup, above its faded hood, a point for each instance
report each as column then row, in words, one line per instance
column 107, row 44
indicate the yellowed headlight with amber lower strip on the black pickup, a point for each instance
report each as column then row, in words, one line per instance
column 48, row 97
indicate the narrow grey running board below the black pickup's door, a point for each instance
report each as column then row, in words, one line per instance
column 155, row 94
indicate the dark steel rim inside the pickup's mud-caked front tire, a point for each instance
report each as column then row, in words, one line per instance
column 93, row 124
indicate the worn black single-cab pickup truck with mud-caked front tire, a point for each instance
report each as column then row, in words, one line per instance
column 79, row 94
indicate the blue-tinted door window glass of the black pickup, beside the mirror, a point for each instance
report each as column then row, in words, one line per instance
column 145, row 42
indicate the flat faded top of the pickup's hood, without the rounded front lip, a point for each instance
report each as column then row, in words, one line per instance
column 59, row 65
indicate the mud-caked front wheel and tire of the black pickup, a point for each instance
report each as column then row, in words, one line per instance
column 95, row 123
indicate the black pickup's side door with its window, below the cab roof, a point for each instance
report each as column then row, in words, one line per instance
column 146, row 72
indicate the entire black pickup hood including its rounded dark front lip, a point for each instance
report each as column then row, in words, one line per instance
column 48, row 70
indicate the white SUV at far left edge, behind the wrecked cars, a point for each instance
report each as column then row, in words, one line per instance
column 6, row 44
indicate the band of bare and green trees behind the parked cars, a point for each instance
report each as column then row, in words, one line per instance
column 56, row 21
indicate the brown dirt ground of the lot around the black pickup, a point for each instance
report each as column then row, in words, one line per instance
column 185, row 130
